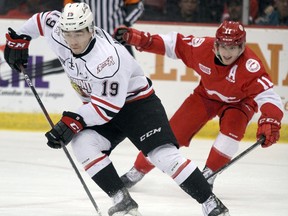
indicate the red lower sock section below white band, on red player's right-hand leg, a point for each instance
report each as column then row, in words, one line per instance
column 216, row 160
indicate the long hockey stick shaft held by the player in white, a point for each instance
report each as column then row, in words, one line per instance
column 29, row 83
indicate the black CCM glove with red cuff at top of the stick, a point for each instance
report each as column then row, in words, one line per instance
column 16, row 49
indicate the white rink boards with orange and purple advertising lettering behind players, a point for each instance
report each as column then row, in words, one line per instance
column 172, row 80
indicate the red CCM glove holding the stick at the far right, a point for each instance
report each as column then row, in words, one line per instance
column 270, row 128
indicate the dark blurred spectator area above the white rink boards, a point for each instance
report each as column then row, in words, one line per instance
column 252, row 12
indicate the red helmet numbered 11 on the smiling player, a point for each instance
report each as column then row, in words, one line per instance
column 230, row 33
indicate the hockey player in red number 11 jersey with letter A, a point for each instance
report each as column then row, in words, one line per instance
column 234, row 86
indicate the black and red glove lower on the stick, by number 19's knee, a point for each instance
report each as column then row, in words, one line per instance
column 64, row 130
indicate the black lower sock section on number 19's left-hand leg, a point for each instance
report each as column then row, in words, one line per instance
column 108, row 180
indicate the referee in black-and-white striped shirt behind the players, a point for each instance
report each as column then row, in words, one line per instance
column 110, row 14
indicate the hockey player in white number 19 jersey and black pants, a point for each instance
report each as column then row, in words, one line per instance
column 118, row 102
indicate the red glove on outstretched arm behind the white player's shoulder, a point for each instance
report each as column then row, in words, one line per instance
column 139, row 39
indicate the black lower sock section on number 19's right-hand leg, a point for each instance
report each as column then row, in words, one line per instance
column 197, row 186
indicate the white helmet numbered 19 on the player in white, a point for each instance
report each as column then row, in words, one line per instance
column 76, row 16
